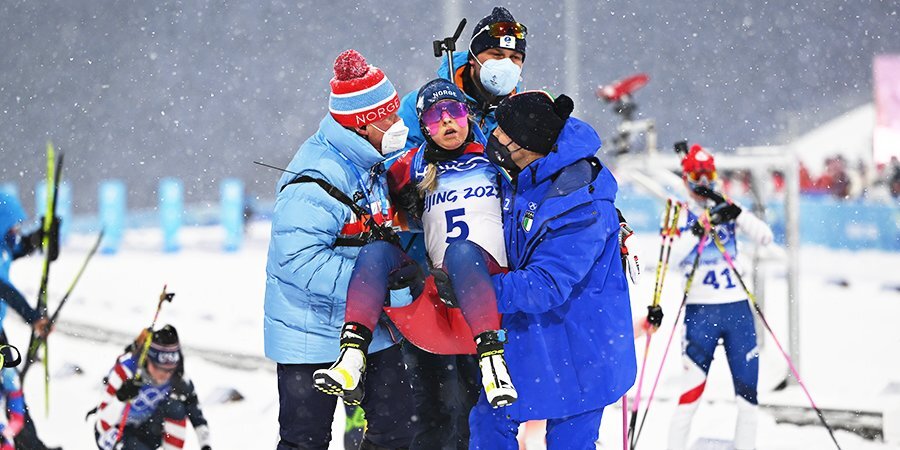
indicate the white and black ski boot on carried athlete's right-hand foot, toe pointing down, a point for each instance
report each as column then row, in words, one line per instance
column 498, row 387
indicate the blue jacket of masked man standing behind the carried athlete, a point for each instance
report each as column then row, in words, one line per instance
column 484, row 119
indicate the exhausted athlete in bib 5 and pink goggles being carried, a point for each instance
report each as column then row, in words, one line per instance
column 450, row 186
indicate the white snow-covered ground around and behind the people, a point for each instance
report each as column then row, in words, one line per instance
column 849, row 339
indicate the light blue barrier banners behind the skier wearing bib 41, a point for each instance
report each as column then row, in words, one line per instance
column 851, row 225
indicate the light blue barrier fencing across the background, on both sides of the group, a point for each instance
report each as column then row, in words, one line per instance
column 853, row 225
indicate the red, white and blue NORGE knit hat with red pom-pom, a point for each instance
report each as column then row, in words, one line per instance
column 360, row 93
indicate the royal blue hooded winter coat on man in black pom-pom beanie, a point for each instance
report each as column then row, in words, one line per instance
column 565, row 301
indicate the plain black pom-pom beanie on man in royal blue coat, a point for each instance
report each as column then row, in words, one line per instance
column 533, row 120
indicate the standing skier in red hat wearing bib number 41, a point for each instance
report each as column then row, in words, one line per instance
column 717, row 306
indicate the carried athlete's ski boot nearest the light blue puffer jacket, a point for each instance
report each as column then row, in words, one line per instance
column 344, row 377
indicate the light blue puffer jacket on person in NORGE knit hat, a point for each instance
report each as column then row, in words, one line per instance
column 306, row 273
